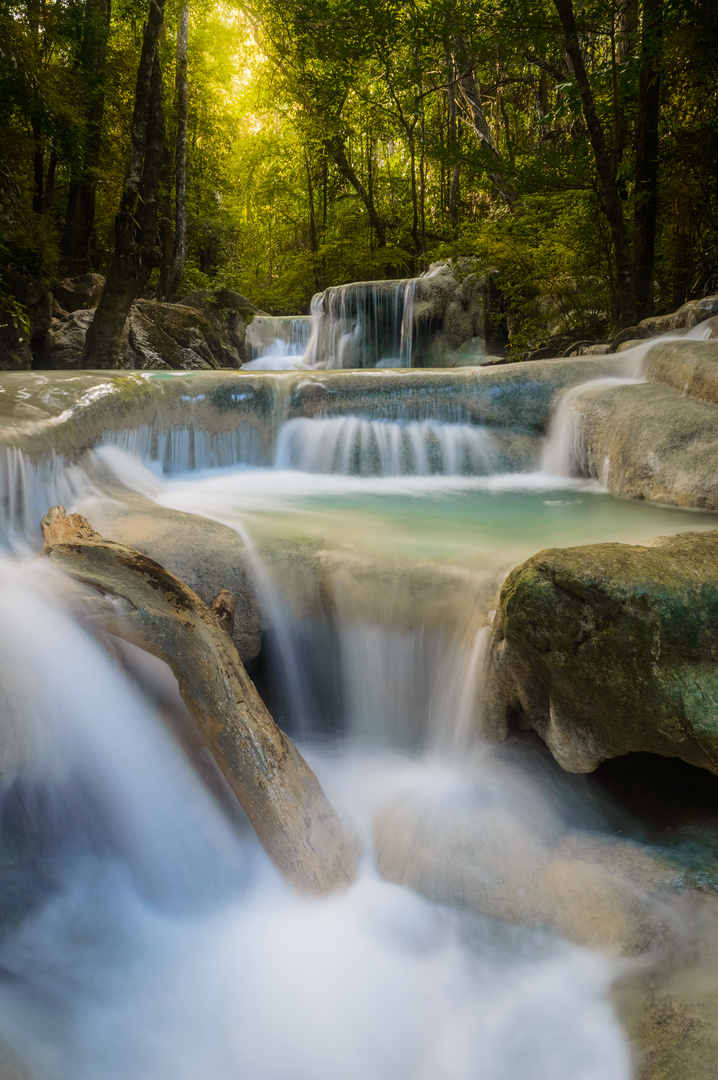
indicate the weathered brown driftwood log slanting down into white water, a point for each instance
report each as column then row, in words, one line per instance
column 282, row 798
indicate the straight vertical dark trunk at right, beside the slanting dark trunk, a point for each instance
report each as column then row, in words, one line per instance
column 647, row 154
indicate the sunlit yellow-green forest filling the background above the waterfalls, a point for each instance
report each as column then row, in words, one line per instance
column 572, row 150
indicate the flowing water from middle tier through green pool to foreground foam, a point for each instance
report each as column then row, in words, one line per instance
column 159, row 942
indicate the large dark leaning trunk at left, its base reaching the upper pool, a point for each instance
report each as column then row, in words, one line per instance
column 137, row 250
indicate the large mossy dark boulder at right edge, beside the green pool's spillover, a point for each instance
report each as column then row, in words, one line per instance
column 609, row 650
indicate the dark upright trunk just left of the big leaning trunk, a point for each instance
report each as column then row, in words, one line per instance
column 80, row 215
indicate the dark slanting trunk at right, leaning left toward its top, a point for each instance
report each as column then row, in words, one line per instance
column 626, row 315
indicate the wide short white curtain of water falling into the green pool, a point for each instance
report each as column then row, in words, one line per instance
column 354, row 447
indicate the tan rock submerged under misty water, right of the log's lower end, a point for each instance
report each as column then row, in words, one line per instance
column 509, row 863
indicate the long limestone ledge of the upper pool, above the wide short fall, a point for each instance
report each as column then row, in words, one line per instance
column 67, row 413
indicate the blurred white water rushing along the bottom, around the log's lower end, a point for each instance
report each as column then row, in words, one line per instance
column 167, row 947
